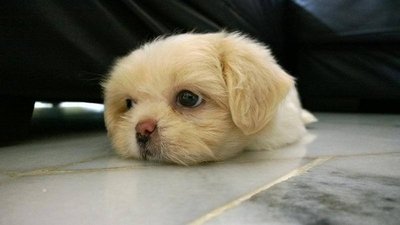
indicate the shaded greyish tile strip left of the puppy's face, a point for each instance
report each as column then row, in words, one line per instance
column 54, row 151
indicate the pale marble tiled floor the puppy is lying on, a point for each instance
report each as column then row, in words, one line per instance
column 345, row 171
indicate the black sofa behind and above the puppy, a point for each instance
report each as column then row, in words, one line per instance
column 345, row 54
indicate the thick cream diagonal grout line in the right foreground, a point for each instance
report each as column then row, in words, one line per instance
column 218, row 211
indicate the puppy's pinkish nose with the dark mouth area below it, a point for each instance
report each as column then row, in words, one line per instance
column 144, row 131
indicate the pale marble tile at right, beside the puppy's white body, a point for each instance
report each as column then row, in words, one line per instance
column 336, row 136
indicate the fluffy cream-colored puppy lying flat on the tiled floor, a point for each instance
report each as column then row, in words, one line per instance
column 193, row 98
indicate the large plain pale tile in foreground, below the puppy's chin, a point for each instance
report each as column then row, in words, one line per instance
column 162, row 194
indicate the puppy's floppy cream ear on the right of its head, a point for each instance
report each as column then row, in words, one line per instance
column 256, row 83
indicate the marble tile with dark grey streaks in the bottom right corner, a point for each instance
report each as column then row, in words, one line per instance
column 353, row 190
